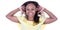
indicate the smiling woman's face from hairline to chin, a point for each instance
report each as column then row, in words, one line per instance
column 30, row 10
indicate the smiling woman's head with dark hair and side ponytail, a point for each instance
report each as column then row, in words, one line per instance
column 31, row 10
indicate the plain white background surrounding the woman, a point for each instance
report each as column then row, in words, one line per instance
column 7, row 6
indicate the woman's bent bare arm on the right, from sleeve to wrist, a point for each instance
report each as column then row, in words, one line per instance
column 51, row 18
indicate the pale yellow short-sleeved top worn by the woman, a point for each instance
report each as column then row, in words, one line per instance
column 29, row 25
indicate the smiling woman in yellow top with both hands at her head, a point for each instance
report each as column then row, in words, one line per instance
column 31, row 20
